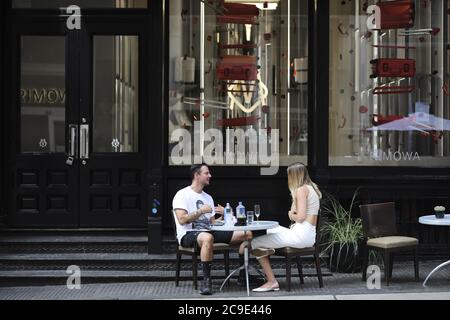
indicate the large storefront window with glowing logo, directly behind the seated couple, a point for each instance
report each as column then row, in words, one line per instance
column 238, row 81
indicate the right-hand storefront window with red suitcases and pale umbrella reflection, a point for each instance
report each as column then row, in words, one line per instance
column 389, row 83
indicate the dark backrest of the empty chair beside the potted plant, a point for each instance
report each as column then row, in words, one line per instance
column 378, row 220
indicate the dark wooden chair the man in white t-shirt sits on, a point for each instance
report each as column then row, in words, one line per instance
column 219, row 248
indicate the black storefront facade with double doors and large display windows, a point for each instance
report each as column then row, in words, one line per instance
column 105, row 104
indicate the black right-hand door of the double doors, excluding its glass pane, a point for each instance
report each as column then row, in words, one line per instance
column 109, row 27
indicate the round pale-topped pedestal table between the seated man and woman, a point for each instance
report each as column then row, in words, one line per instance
column 255, row 226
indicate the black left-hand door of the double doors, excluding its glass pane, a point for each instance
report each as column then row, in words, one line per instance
column 40, row 26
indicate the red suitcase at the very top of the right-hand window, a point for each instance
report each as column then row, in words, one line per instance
column 397, row 14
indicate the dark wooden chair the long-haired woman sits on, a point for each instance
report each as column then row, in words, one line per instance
column 290, row 253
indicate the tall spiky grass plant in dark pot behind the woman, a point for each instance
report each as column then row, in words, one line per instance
column 341, row 235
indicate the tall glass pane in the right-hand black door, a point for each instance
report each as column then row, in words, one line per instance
column 115, row 94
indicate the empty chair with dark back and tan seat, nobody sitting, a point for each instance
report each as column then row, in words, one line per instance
column 380, row 232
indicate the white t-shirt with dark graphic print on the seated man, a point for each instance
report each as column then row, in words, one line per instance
column 190, row 201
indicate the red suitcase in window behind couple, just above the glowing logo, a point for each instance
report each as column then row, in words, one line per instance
column 232, row 68
